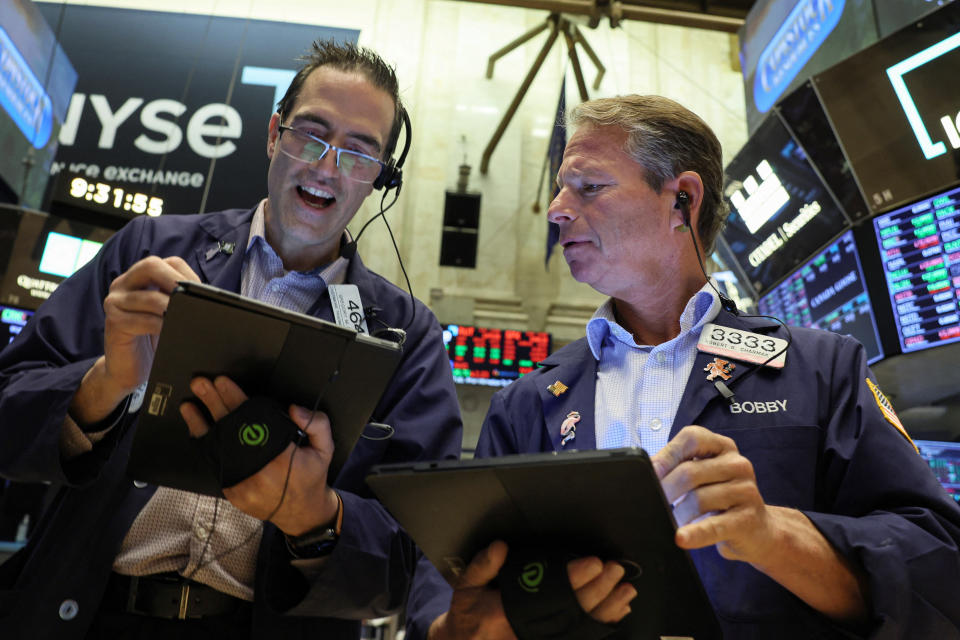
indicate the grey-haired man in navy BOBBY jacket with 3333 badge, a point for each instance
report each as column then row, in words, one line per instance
column 806, row 507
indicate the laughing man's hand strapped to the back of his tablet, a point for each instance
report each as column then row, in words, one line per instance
column 307, row 501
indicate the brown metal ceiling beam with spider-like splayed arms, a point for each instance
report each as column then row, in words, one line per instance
column 718, row 15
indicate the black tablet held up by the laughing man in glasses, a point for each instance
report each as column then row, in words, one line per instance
column 266, row 350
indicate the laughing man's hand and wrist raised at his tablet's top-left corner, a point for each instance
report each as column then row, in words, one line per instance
column 133, row 317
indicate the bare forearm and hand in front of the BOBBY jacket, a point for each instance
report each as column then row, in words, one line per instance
column 717, row 502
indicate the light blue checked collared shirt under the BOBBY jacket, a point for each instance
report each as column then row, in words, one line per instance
column 639, row 386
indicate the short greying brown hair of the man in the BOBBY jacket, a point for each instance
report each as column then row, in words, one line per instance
column 666, row 139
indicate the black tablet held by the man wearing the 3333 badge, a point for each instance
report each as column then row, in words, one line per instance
column 606, row 503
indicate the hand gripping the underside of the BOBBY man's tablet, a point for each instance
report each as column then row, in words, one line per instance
column 476, row 611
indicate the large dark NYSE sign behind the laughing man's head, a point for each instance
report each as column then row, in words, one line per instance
column 173, row 106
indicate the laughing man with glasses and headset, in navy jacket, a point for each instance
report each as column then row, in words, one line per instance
column 111, row 551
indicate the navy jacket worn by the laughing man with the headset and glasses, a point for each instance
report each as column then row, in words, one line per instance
column 69, row 557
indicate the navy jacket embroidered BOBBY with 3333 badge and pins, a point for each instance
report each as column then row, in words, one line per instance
column 818, row 443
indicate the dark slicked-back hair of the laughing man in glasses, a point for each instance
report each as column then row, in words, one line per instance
column 348, row 57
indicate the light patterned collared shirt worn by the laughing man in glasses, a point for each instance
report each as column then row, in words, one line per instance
column 205, row 538
